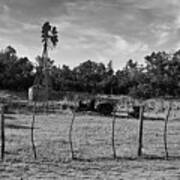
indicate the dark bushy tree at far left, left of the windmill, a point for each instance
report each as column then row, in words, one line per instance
column 15, row 71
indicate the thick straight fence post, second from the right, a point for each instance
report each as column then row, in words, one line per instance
column 141, row 111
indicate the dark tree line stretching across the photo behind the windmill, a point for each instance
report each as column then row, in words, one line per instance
column 158, row 76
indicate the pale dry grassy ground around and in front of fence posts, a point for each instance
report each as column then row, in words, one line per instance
column 92, row 142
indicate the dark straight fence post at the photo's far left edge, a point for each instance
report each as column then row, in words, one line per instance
column 2, row 134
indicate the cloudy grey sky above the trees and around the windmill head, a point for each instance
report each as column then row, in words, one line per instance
column 99, row 30
